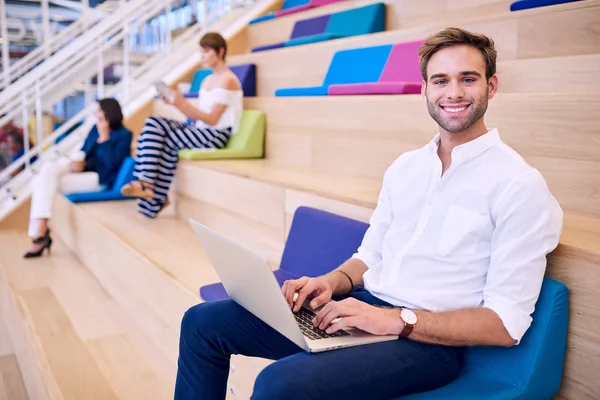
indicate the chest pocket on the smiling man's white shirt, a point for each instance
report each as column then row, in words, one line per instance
column 461, row 232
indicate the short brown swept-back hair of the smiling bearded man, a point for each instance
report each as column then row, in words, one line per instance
column 451, row 37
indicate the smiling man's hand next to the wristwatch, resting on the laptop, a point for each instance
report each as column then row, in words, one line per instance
column 353, row 313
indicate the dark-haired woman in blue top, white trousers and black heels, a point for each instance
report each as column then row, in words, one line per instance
column 93, row 168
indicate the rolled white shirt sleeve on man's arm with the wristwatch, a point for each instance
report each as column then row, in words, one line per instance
column 528, row 226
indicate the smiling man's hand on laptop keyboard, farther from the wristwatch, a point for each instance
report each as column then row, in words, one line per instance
column 319, row 289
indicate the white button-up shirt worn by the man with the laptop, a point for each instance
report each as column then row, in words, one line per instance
column 476, row 236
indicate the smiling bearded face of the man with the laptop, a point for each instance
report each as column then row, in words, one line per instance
column 456, row 89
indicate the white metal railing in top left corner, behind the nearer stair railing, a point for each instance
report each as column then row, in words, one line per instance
column 50, row 43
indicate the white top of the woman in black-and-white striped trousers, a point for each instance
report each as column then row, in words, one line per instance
column 233, row 99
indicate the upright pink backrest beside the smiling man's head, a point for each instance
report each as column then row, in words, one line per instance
column 403, row 63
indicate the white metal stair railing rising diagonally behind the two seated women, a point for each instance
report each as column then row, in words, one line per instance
column 64, row 70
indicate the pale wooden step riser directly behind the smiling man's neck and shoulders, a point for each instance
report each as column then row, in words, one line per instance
column 360, row 136
